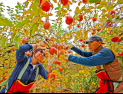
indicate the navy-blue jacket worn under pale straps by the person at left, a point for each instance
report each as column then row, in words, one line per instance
column 29, row 74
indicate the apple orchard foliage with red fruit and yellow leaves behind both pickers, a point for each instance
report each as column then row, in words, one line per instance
column 91, row 17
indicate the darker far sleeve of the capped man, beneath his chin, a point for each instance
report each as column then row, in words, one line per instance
column 80, row 52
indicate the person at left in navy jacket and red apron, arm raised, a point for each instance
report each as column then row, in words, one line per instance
column 30, row 73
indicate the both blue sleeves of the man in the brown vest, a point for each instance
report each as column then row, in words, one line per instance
column 101, row 57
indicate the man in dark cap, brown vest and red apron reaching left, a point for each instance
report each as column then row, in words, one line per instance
column 106, row 62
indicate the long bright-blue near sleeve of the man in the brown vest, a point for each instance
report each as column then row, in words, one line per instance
column 102, row 57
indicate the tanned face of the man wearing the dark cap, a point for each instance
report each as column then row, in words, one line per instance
column 93, row 45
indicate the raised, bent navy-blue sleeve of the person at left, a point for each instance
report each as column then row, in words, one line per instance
column 20, row 53
